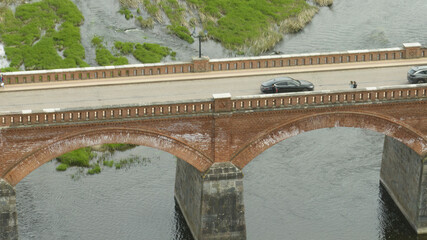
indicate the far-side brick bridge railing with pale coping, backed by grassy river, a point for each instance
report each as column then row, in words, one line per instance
column 408, row 51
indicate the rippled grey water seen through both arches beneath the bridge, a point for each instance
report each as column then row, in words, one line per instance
column 323, row 184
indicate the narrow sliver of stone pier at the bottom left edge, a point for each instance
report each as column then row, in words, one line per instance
column 8, row 216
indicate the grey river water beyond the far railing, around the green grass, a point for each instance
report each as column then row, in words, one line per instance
column 347, row 25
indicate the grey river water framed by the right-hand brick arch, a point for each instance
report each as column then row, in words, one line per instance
column 333, row 182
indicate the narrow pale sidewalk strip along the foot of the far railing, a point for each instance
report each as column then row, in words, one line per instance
column 214, row 74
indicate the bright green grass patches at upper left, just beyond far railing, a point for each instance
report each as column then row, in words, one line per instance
column 46, row 35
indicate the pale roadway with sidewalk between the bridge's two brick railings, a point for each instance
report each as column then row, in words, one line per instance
column 188, row 86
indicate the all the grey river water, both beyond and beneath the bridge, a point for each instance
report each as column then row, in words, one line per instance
column 322, row 184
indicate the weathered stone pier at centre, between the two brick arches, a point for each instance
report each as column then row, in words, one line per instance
column 211, row 202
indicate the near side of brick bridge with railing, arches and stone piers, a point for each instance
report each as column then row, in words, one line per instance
column 214, row 139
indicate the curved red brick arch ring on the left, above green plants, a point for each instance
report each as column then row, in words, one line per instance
column 38, row 157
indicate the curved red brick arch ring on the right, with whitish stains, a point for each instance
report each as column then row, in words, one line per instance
column 393, row 128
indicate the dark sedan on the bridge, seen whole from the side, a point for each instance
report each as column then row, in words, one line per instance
column 286, row 84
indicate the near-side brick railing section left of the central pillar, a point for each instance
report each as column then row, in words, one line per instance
column 57, row 116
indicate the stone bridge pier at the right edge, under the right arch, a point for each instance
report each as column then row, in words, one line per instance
column 404, row 175
